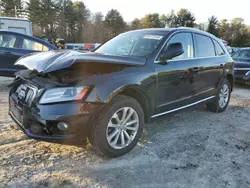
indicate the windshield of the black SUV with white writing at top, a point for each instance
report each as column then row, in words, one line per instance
column 140, row 44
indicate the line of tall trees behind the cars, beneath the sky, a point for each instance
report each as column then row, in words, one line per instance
column 74, row 22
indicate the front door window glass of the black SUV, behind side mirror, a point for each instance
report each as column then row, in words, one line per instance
column 186, row 40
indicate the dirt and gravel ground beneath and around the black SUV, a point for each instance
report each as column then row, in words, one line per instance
column 191, row 148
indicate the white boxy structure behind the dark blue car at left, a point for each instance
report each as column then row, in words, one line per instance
column 20, row 25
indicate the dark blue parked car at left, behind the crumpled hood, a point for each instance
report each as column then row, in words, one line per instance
column 14, row 45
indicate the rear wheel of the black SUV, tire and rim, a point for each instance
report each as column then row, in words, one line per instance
column 222, row 98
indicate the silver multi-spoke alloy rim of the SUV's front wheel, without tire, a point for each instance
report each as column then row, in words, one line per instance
column 122, row 128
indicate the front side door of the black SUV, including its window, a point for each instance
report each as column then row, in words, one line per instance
column 176, row 78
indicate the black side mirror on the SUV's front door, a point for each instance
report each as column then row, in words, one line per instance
column 172, row 50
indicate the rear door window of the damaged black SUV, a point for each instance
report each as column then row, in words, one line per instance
column 204, row 46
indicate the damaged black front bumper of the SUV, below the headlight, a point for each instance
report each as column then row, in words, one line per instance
column 40, row 121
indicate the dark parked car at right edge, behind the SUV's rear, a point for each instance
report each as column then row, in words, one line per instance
column 242, row 65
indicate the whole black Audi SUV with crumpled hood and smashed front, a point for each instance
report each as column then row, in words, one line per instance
column 107, row 95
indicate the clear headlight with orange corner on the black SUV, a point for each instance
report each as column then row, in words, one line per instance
column 63, row 94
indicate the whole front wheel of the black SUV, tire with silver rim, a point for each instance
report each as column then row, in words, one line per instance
column 118, row 127
